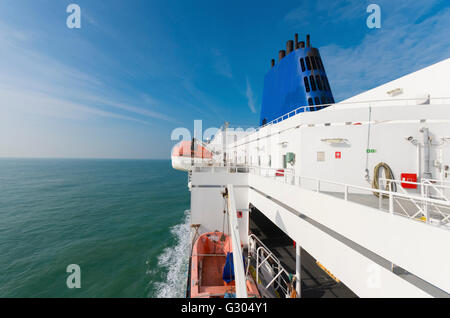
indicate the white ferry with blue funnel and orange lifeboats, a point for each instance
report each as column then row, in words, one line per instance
column 325, row 199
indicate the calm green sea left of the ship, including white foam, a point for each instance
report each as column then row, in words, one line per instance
column 124, row 222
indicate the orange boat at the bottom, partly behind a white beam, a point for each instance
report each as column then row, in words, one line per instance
column 211, row 272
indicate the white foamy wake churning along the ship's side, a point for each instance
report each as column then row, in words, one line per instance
column 175, row 260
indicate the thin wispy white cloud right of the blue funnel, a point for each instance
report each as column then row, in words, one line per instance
column 400, row 46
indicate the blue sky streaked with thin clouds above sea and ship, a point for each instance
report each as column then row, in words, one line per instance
column 117, row 87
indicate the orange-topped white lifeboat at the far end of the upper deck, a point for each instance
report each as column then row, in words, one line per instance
column 188, row 153
